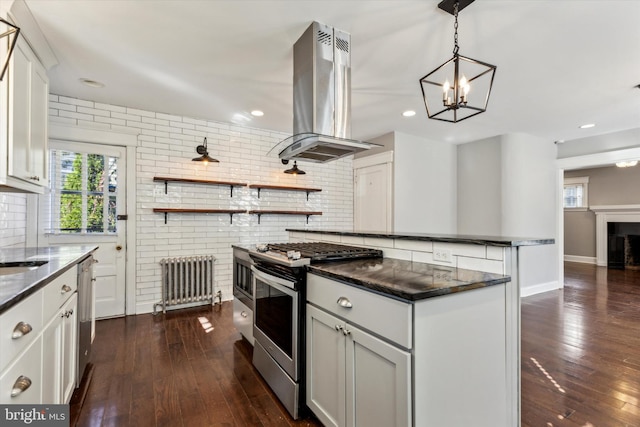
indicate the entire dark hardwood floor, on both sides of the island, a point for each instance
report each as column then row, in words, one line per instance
column 580, row 363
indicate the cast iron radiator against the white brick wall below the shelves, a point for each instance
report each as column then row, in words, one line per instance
column 187, row 280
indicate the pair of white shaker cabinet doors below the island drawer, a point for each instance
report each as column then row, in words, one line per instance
column 354, row 378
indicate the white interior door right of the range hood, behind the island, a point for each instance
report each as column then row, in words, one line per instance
column 372, row 198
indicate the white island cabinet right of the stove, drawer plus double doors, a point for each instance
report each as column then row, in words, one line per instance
column 355, row 378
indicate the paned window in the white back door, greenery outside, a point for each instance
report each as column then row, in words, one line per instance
column 83, row 193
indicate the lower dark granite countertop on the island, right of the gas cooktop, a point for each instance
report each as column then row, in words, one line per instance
column 407, row 280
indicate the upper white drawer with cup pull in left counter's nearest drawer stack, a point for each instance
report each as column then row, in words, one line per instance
column 27, row 314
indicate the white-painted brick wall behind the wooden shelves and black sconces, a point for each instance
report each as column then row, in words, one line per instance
column 166, row 145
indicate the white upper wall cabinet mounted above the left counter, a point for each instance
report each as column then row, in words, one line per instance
column 24, row 94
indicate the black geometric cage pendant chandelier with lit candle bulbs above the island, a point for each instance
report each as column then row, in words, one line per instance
column 459, row 88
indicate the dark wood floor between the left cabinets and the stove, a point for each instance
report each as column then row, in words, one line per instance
column 187, row 368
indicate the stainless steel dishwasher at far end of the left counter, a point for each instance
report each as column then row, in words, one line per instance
column 85, row 314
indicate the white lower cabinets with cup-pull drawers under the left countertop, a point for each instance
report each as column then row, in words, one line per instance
column 38, row 345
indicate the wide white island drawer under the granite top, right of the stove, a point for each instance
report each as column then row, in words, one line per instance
column 386, row 317
